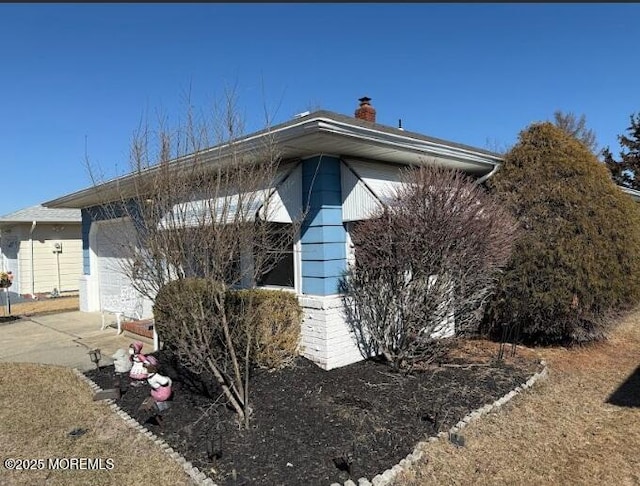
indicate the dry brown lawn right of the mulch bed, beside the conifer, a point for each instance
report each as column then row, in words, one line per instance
column 561, row 432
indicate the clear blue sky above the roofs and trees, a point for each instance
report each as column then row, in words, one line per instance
column 76, row 75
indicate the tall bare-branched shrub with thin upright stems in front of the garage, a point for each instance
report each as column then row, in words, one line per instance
column 202, row 212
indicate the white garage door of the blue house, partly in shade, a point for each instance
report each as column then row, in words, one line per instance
column 113, row 246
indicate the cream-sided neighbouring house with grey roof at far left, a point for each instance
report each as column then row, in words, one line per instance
column 42, row 247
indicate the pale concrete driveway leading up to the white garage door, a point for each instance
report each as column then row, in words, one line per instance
column 60, row 339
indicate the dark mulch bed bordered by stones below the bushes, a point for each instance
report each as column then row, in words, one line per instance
column 309, row 424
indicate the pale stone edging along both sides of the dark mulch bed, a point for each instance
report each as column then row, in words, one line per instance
column 383, row 479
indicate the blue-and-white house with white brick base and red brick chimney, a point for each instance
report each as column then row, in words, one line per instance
column 341, row 169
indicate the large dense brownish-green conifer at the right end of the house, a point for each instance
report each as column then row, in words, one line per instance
column 578, row 257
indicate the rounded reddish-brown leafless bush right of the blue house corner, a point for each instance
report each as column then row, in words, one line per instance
column 428, row 260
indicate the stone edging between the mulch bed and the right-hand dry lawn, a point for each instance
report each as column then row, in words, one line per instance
column 387, row 477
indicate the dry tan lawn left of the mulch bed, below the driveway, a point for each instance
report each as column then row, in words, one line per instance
column 40, row 405
